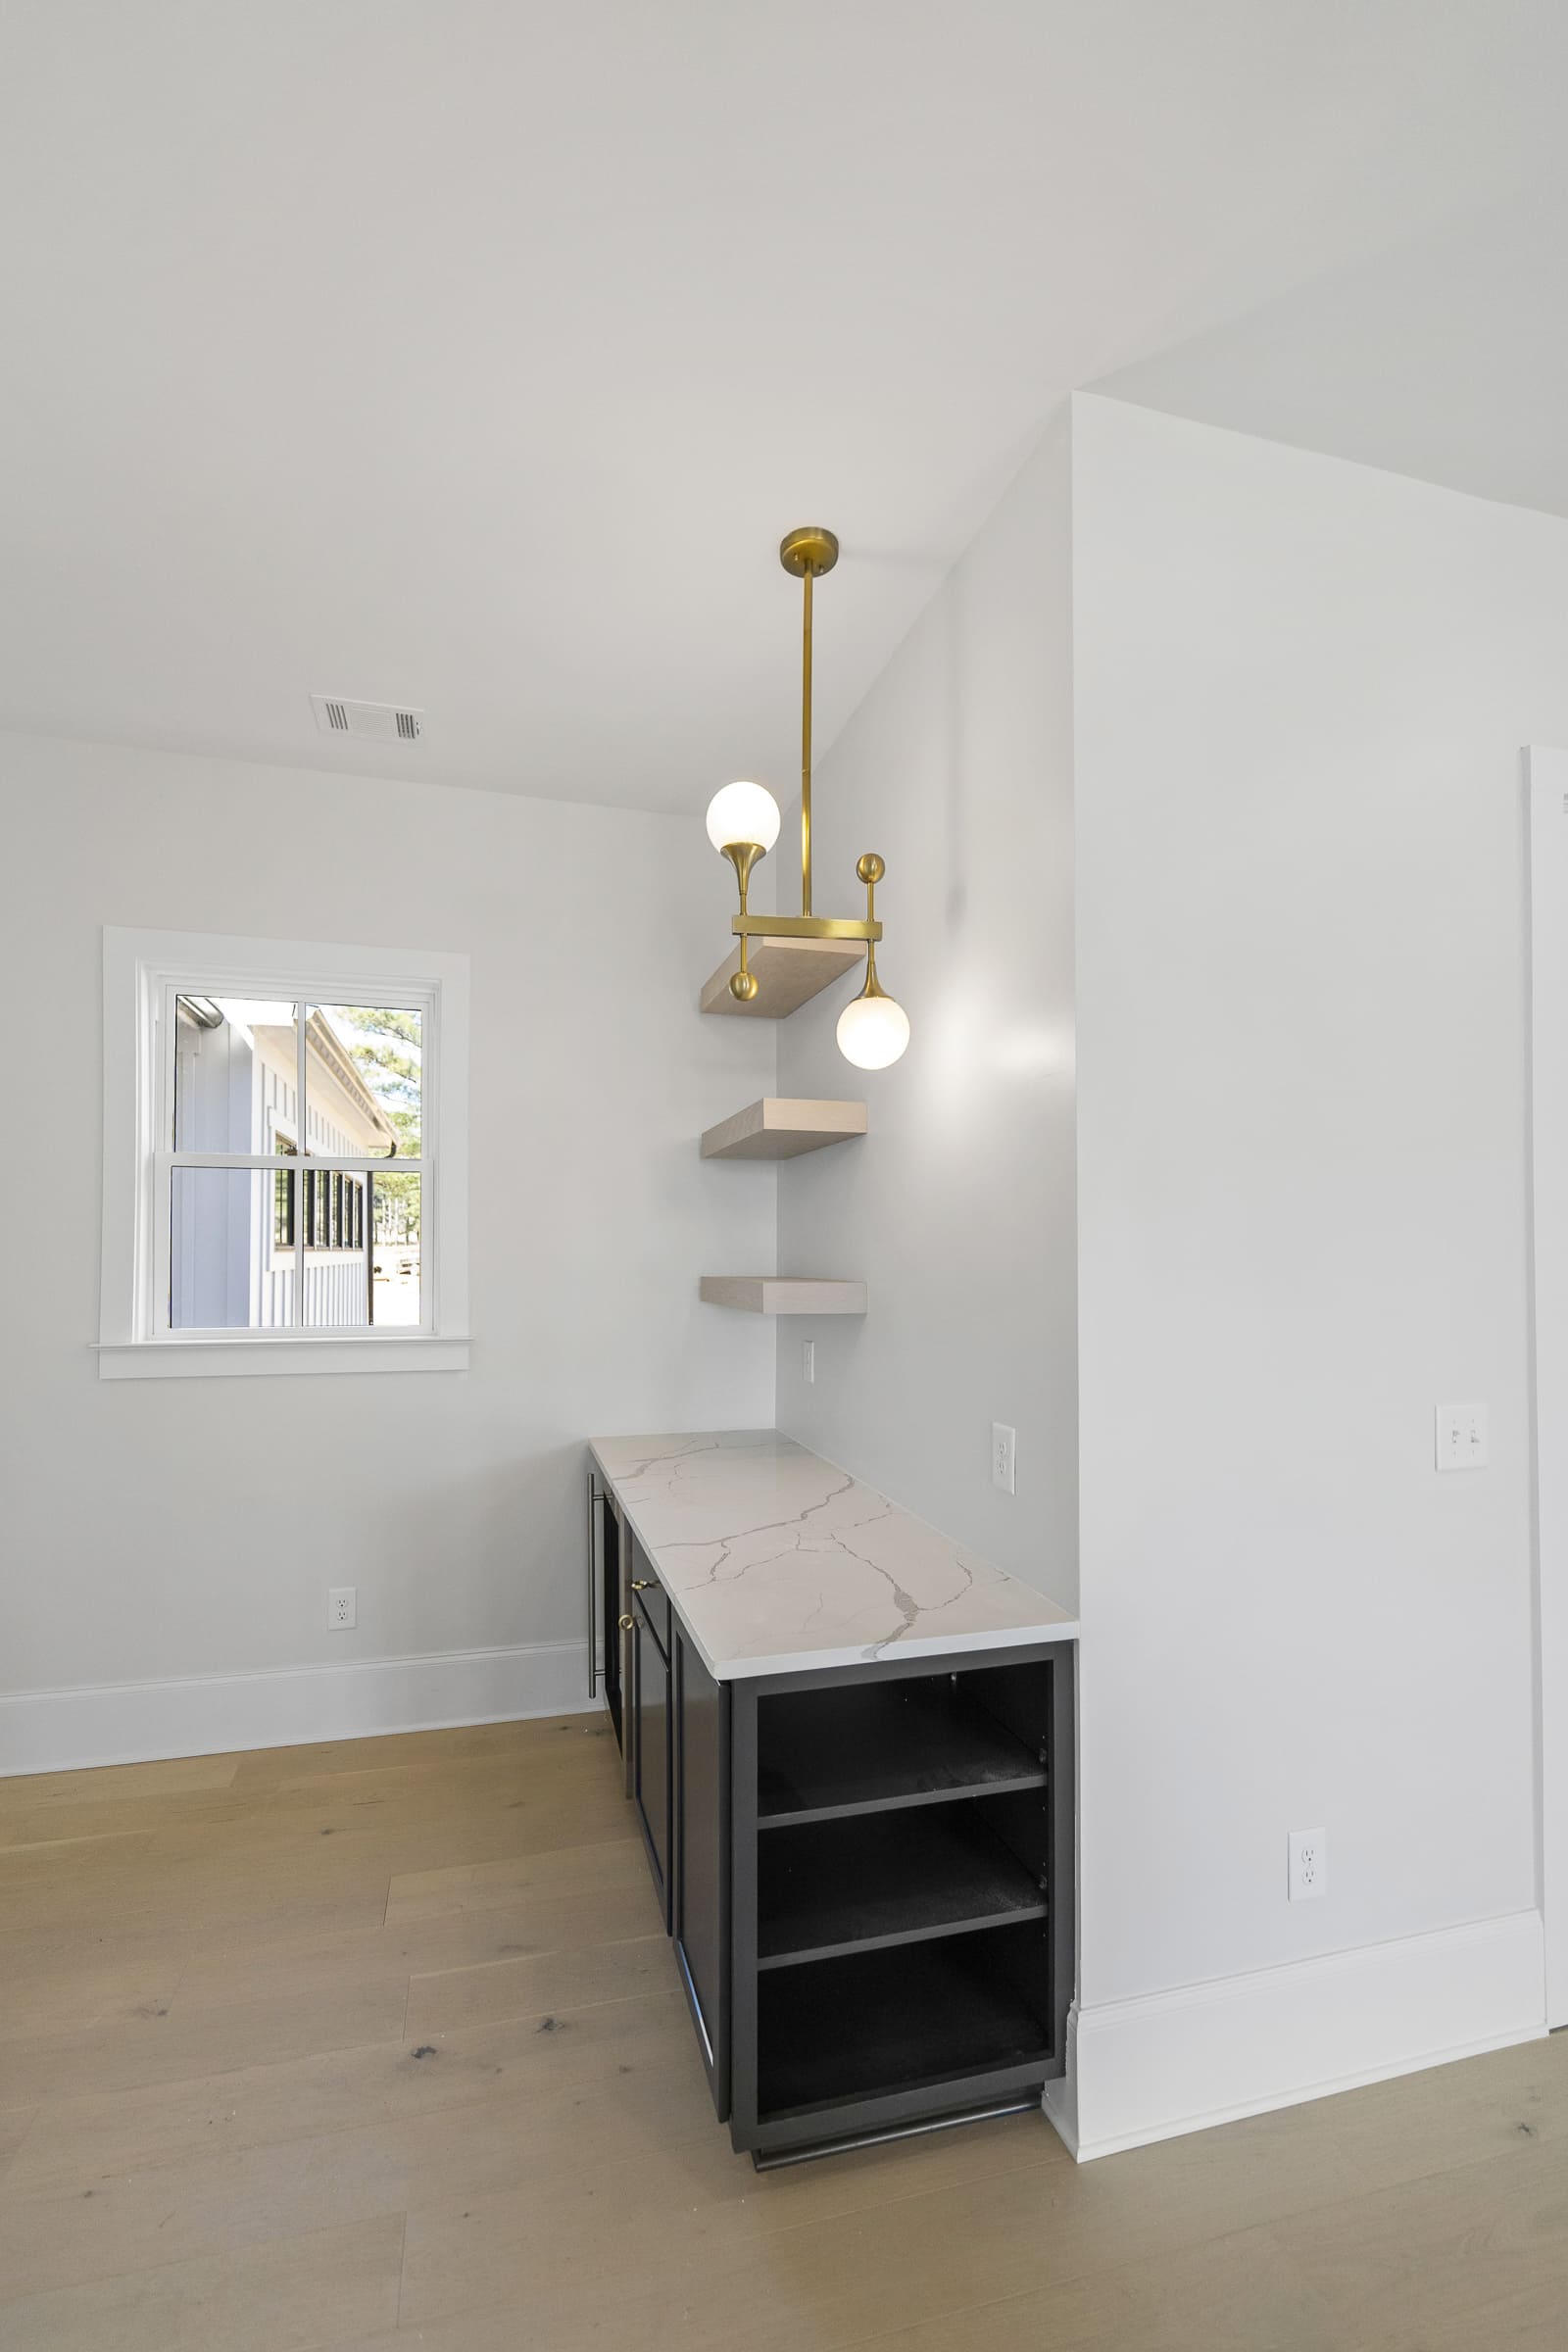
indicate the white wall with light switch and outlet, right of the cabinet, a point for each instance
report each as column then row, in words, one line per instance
column 1301, row 690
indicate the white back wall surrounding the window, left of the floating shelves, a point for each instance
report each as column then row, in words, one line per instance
column 189, row 1530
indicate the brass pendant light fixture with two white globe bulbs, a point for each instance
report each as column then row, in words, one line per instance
column 744, row 827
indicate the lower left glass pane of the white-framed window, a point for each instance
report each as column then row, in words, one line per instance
column 229, row 1269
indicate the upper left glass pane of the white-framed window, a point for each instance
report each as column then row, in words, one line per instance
column 236, row 1076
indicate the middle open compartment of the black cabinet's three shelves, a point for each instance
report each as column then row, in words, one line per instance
column 883, row 1880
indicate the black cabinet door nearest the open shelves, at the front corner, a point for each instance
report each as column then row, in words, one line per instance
column 702, row 1857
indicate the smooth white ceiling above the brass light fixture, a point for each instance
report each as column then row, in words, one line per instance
column 478, row 354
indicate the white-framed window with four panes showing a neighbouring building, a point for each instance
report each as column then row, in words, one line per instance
column 286, row 1158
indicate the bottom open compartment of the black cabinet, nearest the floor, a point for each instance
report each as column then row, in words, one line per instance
column 897, row 2022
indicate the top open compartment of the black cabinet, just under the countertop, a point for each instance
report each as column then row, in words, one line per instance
column 871, row 1749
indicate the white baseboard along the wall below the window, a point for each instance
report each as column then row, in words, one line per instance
column 130, row 1723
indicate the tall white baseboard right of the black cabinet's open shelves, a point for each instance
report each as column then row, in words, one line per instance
column 1209, row 2054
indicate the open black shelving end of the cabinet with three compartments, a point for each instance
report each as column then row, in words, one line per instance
column 902, row 1895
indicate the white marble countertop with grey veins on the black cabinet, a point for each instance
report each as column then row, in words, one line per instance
column 775, row 1561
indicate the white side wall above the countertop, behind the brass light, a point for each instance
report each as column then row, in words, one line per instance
column 960, row 1203
